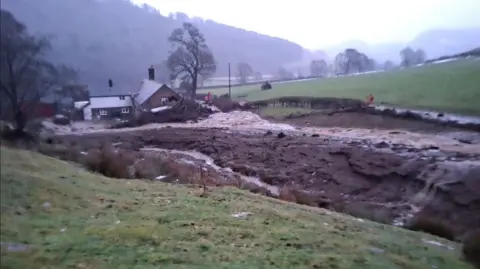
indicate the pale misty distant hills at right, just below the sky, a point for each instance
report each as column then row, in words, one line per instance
column 435, row 42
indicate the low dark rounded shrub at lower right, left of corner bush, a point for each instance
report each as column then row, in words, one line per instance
column 432, row 226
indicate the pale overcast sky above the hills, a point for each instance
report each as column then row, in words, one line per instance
column 316, row 23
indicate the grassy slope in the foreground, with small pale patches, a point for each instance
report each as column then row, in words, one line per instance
column 136, row 224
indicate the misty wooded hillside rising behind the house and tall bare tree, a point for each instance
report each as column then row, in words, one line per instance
column 116, row 39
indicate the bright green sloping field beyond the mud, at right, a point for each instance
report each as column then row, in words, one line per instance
column 450, row 87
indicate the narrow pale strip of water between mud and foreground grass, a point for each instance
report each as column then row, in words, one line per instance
column 209, row 161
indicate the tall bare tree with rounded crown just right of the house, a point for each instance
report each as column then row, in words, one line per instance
column 191, row 57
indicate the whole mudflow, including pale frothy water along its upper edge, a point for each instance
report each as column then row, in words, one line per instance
column 396, row 174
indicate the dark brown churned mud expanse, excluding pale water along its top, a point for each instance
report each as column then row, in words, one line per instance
column 337, row 172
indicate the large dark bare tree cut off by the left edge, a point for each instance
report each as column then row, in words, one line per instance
column 25, row 75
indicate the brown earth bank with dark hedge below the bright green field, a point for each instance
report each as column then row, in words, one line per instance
column 341, row 112
